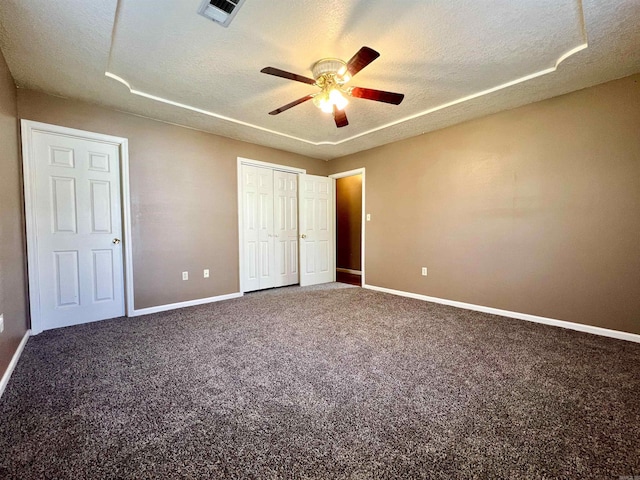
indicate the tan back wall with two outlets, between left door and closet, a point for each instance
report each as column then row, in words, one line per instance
column 183, row 196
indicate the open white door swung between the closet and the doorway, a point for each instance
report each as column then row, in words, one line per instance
column 316, row 230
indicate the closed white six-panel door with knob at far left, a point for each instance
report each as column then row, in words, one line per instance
column 78, row 228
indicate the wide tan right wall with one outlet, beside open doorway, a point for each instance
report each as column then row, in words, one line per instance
column 534, row 210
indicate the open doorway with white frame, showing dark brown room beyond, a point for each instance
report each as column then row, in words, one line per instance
column 350, row 227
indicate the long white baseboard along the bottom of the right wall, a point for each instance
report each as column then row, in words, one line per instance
column 605, row 332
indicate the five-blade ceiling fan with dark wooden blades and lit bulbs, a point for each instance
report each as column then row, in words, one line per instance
column 331, row 75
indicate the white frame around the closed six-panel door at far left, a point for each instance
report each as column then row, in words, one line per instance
column 28, row 128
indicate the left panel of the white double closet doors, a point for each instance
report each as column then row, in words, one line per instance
column 257, row 225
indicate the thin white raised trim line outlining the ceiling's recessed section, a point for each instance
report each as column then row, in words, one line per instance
column 428, row 111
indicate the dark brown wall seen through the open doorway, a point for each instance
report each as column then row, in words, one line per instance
column 348, row 222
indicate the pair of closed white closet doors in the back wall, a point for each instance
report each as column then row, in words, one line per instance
column 269, row 227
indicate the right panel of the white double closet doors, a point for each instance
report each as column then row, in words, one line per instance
column 286, row 227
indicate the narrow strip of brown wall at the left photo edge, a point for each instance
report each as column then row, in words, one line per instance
column 13, row 297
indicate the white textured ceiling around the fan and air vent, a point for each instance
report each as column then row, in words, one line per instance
column 454, row 60
